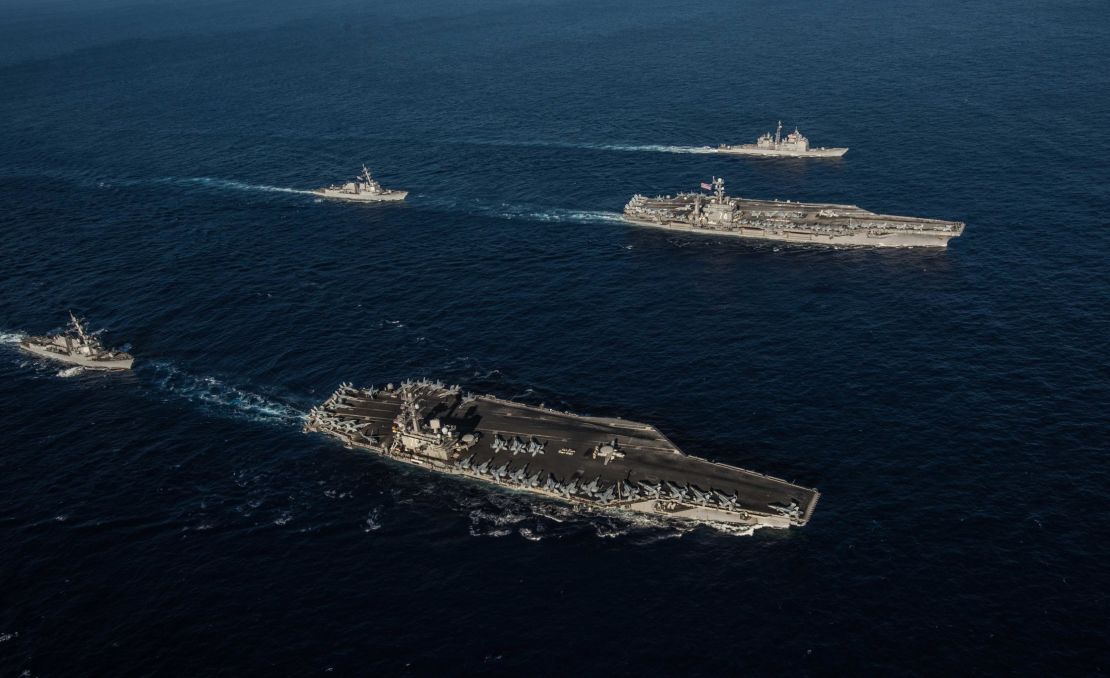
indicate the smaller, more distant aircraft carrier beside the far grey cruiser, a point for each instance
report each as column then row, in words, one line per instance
column 720, row 215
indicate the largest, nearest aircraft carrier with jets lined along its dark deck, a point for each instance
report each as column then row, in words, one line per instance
column 598, row 463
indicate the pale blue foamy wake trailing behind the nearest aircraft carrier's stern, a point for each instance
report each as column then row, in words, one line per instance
column 218, row 397
